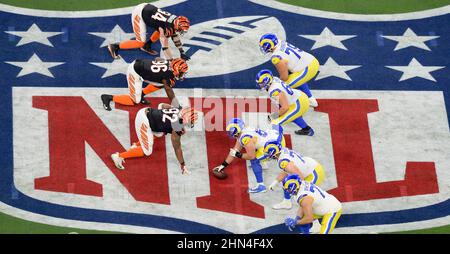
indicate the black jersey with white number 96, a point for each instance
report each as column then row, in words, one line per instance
column 154, row 71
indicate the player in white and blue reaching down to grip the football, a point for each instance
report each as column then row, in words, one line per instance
column 253, row 141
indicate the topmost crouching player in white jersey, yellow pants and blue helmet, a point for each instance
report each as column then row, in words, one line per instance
column 294, row 66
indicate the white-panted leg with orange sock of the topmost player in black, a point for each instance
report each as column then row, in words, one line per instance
column 140, row 31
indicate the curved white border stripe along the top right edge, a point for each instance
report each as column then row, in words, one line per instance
column 354, row 17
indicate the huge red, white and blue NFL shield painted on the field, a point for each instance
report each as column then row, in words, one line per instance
column 381, row 128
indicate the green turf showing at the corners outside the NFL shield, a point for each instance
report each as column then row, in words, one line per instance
column 10, row 224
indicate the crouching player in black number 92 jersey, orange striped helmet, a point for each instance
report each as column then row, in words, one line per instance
column 159, row 122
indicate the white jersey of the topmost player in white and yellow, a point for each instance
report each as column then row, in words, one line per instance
column 297, row 59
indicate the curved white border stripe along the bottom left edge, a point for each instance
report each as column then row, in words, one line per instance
column 75, row 224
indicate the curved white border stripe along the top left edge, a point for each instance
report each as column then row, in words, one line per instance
column 81, row 14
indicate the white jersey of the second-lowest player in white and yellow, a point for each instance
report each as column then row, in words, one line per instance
column 305, row 164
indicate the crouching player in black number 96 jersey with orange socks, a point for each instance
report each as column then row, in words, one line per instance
column 158, row 73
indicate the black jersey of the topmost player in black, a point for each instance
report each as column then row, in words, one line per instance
column 157, row 18
